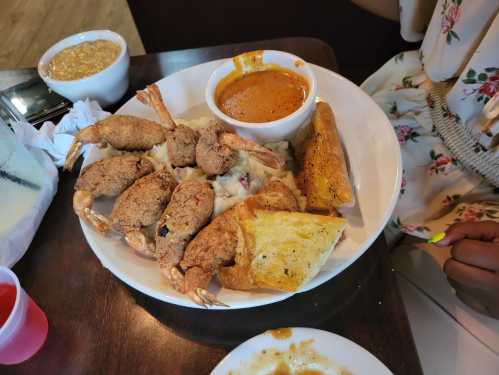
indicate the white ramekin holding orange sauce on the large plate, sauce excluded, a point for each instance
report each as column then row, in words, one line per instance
column 281, row 129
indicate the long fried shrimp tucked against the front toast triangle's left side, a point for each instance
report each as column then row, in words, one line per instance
column 215, row 246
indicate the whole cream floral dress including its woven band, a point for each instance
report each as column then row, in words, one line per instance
column 435, row 100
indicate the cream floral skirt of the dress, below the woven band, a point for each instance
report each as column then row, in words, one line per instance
column 436, row 190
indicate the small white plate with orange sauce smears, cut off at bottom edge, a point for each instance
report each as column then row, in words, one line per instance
column 301, row 351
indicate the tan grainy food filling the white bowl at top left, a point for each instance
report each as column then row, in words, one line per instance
column 83, row 60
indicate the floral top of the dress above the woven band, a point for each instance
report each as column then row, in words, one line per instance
column 461, row 40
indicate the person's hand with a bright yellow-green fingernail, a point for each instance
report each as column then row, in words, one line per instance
column 473, row 269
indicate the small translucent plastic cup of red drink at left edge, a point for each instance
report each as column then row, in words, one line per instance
column 25, row 330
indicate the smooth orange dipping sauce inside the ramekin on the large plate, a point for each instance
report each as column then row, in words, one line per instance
column 262, row 96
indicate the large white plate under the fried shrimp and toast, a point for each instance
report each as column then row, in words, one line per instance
column 375, row 164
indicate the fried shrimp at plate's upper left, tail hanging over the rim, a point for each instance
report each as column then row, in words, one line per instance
column 123, row 132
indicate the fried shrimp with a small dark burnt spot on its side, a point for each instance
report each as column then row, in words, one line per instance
column 189, row 210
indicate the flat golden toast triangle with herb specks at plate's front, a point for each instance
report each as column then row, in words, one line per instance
column 287, row 249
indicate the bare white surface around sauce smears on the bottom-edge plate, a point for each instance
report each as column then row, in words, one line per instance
column 341, row 354
